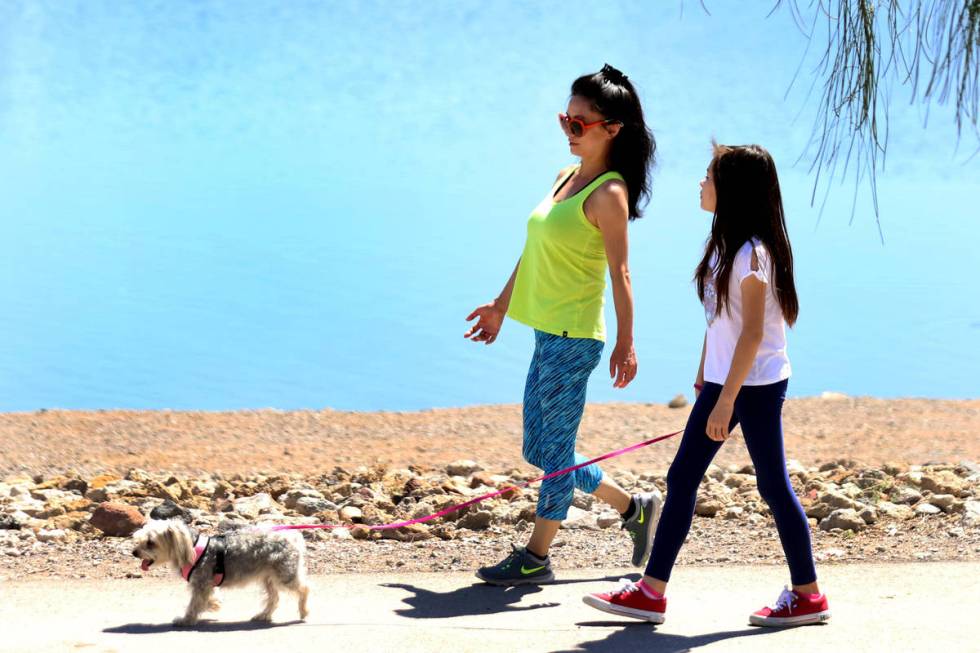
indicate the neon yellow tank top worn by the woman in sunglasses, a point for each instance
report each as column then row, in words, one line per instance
column 561, row 280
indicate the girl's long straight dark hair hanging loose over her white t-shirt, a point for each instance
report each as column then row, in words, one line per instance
column 748, row 205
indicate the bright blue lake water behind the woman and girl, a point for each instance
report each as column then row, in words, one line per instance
column 223, row 205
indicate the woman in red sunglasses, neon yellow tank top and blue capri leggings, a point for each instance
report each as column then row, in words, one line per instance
column 557, row 289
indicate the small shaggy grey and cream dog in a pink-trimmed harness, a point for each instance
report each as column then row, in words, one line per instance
column 236, row 557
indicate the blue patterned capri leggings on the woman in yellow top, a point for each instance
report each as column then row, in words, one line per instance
column 554, row 398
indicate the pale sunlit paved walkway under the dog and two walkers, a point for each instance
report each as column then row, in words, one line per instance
column 908, row 607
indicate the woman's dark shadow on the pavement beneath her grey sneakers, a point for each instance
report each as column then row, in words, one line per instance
column 475, row 599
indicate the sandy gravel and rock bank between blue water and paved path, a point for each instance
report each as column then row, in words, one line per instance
column 885, row 459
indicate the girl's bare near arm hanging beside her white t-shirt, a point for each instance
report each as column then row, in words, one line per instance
column 753, row 316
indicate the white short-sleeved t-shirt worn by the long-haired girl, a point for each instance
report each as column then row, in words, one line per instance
column 771, row 363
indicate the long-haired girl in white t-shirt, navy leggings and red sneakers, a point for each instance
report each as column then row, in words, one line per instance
column 745, row 281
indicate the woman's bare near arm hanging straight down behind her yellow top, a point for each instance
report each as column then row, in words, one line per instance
column 609, row 207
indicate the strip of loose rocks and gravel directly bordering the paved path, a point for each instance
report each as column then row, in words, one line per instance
column 74, row 525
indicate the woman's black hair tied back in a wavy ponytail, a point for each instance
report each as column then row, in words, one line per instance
column 633, row 150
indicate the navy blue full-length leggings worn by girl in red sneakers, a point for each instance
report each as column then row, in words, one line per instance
column 759, row 410
